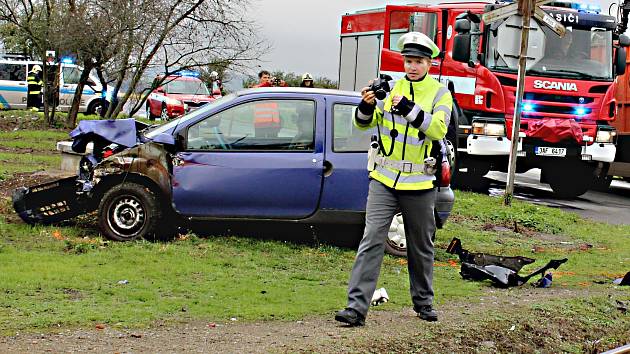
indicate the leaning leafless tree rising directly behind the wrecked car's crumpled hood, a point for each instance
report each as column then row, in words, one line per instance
column 204, row 33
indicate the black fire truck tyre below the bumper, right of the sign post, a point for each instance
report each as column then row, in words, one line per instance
column 569, row 180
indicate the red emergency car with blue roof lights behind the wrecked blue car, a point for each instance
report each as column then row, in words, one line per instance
column 178, row 94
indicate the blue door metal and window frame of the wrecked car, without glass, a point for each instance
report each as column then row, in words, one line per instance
column 260, row 184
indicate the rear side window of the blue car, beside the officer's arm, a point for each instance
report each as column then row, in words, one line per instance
column 347, row 137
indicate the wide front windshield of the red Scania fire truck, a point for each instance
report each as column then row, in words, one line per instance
column 583, row 53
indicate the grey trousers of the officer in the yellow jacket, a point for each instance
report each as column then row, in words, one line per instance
column 417, row 209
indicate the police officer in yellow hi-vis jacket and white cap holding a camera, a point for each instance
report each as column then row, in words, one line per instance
column 410, row 119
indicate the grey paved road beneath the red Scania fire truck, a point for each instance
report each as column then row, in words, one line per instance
column 611, row 207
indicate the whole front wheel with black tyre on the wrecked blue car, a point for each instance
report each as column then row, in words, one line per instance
column 130, row 211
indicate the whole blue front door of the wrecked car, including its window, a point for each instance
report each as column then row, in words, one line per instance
column 233, row 168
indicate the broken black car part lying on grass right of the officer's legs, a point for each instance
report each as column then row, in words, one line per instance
column 502, row 271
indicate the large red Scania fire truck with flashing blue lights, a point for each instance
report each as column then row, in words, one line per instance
column 569, row 97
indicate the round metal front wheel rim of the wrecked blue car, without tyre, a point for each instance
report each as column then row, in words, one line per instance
column 127, row 216
